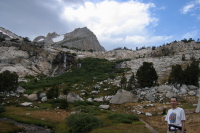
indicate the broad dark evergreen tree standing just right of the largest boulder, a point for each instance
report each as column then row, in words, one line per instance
column 146, row 75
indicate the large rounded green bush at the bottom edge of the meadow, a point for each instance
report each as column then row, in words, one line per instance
column 83, row 123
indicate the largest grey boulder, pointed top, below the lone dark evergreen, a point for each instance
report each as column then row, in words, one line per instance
column 123, row 96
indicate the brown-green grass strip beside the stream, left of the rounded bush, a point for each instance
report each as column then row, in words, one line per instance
column 48, row 118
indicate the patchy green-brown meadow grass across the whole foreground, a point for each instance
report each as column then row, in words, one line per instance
column 113, row 122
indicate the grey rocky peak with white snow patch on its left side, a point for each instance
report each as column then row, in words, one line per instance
column 80, row 38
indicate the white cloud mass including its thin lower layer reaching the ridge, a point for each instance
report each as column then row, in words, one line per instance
column 115, row 23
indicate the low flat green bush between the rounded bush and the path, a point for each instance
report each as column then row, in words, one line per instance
column 123, row 118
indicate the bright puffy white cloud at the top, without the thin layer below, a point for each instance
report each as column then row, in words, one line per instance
column 111, row 18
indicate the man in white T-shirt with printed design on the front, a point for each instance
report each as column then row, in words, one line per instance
column 175, row 118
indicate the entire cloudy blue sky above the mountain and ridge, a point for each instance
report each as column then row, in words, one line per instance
column 116, row 23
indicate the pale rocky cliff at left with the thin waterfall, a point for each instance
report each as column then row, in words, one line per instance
column 29, row 59
